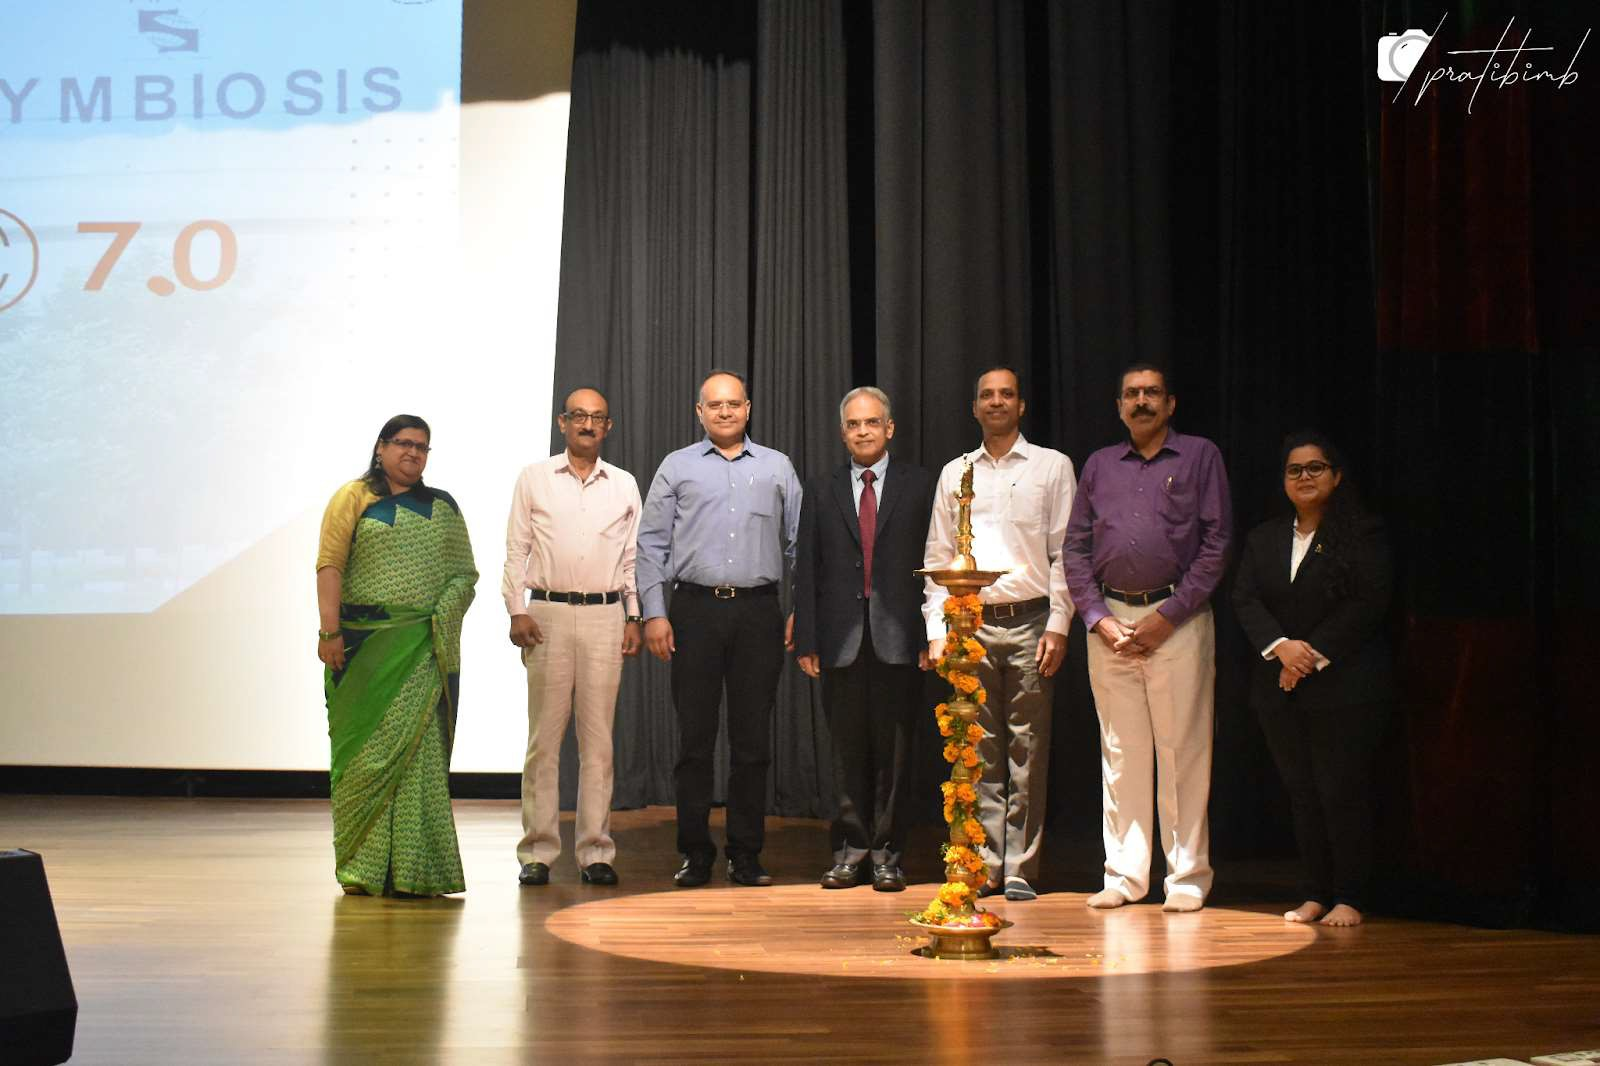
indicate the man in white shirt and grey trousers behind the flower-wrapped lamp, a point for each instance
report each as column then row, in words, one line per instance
column 1022, row 500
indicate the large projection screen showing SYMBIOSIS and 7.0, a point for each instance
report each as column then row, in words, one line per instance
column 234, row 239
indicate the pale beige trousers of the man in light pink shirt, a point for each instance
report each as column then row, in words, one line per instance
column 572, row 676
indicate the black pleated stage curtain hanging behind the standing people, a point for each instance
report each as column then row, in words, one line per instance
column 911, row 191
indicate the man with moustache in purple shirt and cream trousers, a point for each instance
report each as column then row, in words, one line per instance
column 1146, row 548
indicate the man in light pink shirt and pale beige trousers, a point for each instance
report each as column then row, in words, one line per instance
column 575, row 614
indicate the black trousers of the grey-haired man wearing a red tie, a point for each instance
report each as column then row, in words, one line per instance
column 870, row 715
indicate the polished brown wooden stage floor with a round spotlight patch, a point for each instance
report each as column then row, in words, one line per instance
column 210, row 932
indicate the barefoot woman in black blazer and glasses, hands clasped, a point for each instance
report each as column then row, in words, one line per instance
column 1311, row 593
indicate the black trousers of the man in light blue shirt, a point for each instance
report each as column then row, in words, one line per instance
column 737, row 644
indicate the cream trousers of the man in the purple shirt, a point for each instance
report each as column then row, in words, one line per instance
column 1159, row 705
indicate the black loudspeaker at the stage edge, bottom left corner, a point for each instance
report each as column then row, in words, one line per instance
column 39, row 1012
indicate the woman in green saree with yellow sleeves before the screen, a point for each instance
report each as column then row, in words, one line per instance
column 394, row 579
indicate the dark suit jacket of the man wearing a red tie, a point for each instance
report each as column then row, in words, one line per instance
column 828, row 567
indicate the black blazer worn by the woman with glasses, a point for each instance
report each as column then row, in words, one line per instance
column 1348, row 630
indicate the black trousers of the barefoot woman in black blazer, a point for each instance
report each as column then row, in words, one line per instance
column 1327, row 759
